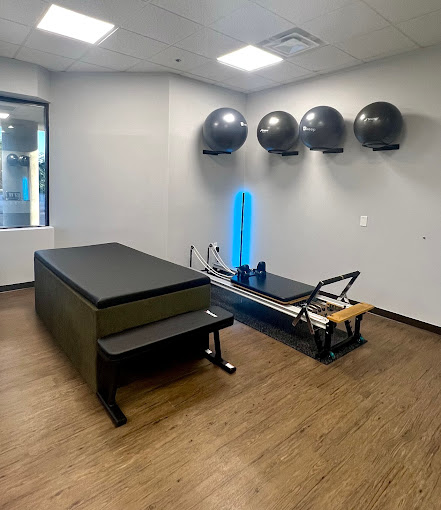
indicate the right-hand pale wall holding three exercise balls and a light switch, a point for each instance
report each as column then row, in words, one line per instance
column 307, row 207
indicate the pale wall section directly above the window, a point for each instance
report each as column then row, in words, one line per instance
column 24, row 80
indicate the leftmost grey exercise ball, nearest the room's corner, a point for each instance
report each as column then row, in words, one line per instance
column 225, row 129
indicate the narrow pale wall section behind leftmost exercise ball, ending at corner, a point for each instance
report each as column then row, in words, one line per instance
column 201, row 187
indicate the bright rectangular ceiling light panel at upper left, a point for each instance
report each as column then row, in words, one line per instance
column 75, row 25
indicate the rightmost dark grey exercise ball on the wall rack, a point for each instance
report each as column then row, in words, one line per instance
column 378, row 124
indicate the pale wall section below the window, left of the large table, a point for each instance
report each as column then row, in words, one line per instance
column 17, row 247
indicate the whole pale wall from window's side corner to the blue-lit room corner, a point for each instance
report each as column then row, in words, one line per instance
column 127, row 164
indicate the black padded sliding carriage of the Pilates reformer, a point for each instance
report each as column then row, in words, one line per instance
column 275, row 287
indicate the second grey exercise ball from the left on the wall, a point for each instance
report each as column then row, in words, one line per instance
column 277, row 131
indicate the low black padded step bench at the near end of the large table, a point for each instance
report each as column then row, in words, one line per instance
column 114, row 349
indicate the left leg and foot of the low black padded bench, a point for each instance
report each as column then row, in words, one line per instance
column 107, row 385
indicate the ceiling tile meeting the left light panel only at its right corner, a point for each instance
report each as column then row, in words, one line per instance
column 160, row 24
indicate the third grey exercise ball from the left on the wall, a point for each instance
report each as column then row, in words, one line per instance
column 322, row 127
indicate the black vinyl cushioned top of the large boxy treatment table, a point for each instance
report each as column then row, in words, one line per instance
column 112, row 274
